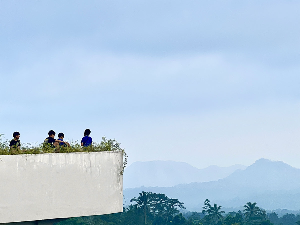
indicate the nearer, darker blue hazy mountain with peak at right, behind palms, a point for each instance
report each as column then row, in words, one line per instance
column 271, row 184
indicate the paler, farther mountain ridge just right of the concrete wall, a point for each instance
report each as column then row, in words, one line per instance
column 170, row 173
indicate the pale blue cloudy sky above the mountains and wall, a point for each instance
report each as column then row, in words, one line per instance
column 202, row 82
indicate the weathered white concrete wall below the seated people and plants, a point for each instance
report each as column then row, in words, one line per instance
column 60, row 185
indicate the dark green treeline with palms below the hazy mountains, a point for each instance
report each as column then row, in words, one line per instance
column 158, row 209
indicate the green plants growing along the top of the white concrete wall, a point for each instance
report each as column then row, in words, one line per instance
column 104, row 145
